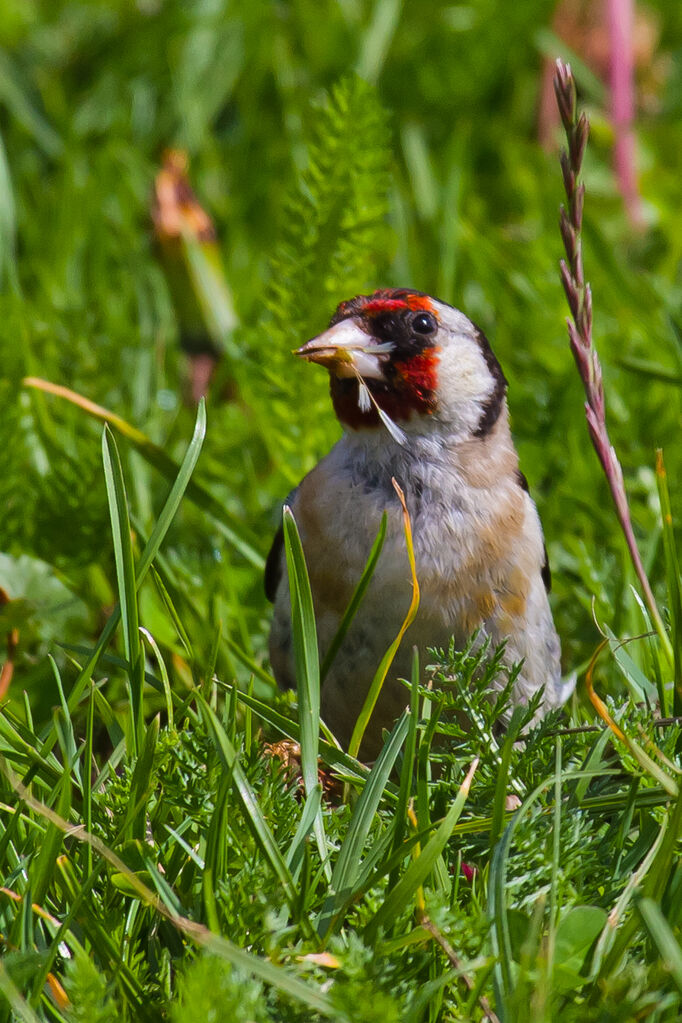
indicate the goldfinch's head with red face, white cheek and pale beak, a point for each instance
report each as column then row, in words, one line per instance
column 401, row 354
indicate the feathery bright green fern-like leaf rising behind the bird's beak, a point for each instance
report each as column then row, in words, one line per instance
column 334, row 235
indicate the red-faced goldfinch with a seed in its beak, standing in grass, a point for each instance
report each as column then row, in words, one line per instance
column 423, row 401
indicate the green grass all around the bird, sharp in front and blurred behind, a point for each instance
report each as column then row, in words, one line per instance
column 158, row 861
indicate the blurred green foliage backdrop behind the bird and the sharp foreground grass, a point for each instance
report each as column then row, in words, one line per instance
column 339, row 148
